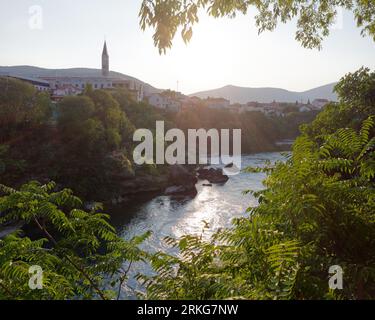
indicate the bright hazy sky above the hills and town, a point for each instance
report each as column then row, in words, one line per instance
column 221, row 52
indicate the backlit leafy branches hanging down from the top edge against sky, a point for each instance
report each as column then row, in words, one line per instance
column 313, row 17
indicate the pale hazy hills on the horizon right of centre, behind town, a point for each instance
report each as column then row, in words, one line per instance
column 243, row 94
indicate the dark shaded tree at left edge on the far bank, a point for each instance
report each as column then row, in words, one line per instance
column 25, row 116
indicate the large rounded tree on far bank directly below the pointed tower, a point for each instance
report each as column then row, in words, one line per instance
column 96, row 137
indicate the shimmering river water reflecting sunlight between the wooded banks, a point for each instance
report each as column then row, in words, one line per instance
column 176, row 216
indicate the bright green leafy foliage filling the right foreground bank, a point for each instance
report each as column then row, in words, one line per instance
column 318, row 210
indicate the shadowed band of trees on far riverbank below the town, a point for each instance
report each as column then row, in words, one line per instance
column 85, row 142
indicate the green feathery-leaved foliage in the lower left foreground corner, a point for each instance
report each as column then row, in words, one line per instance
column 78, row 251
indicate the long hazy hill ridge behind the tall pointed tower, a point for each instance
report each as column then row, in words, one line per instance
column 30, row 71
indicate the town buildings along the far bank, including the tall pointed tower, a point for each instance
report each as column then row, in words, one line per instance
column 61, row 86
